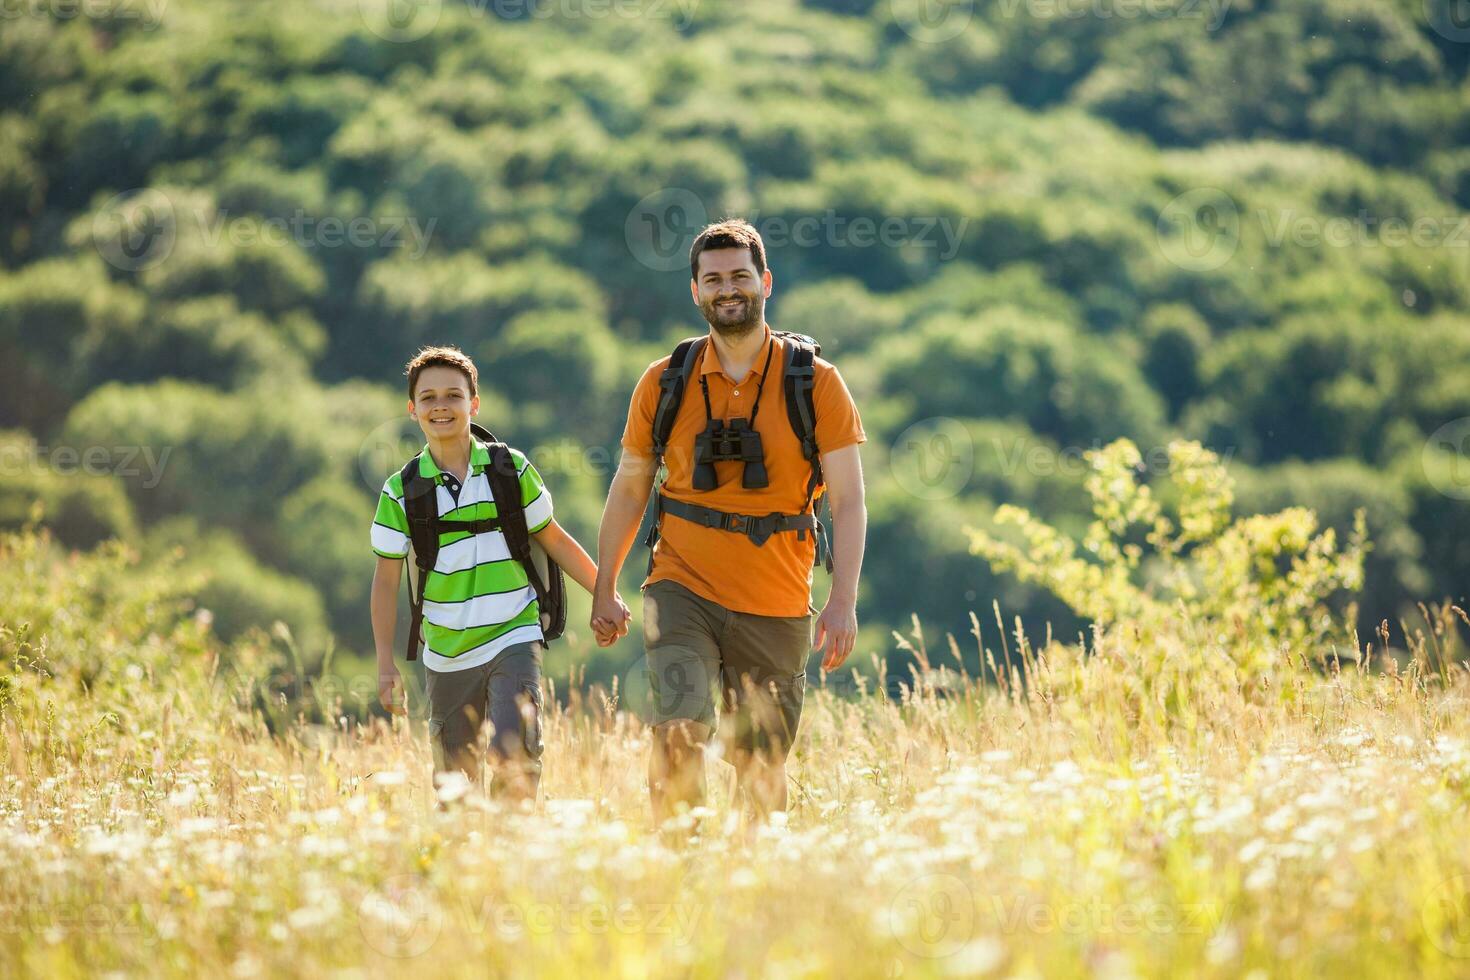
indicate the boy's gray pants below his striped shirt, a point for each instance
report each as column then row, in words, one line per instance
column 506, row 693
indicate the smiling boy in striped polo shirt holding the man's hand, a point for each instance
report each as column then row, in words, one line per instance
column 481, row 622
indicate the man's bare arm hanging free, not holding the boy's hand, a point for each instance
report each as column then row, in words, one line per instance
column 843, row 471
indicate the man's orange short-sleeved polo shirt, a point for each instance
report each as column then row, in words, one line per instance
column 724, row 566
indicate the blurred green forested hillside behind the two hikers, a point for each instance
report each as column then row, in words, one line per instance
column 1021, row 230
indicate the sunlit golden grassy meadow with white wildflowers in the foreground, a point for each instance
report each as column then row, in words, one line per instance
column 1155, row 804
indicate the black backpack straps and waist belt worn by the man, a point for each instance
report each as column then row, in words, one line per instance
column 799, row 380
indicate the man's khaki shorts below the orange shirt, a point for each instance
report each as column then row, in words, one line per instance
column 756, row 663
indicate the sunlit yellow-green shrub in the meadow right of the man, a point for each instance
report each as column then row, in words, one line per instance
column 1255, row 591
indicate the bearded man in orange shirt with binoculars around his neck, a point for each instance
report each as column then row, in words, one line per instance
column 727, row 605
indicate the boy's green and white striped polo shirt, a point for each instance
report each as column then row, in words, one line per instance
column 478, row 600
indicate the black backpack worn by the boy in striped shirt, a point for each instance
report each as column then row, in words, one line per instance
column 420, row 505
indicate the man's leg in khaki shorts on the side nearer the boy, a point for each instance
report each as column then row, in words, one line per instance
column 684, row 665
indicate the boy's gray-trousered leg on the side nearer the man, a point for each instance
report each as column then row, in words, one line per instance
column 515, row 716
